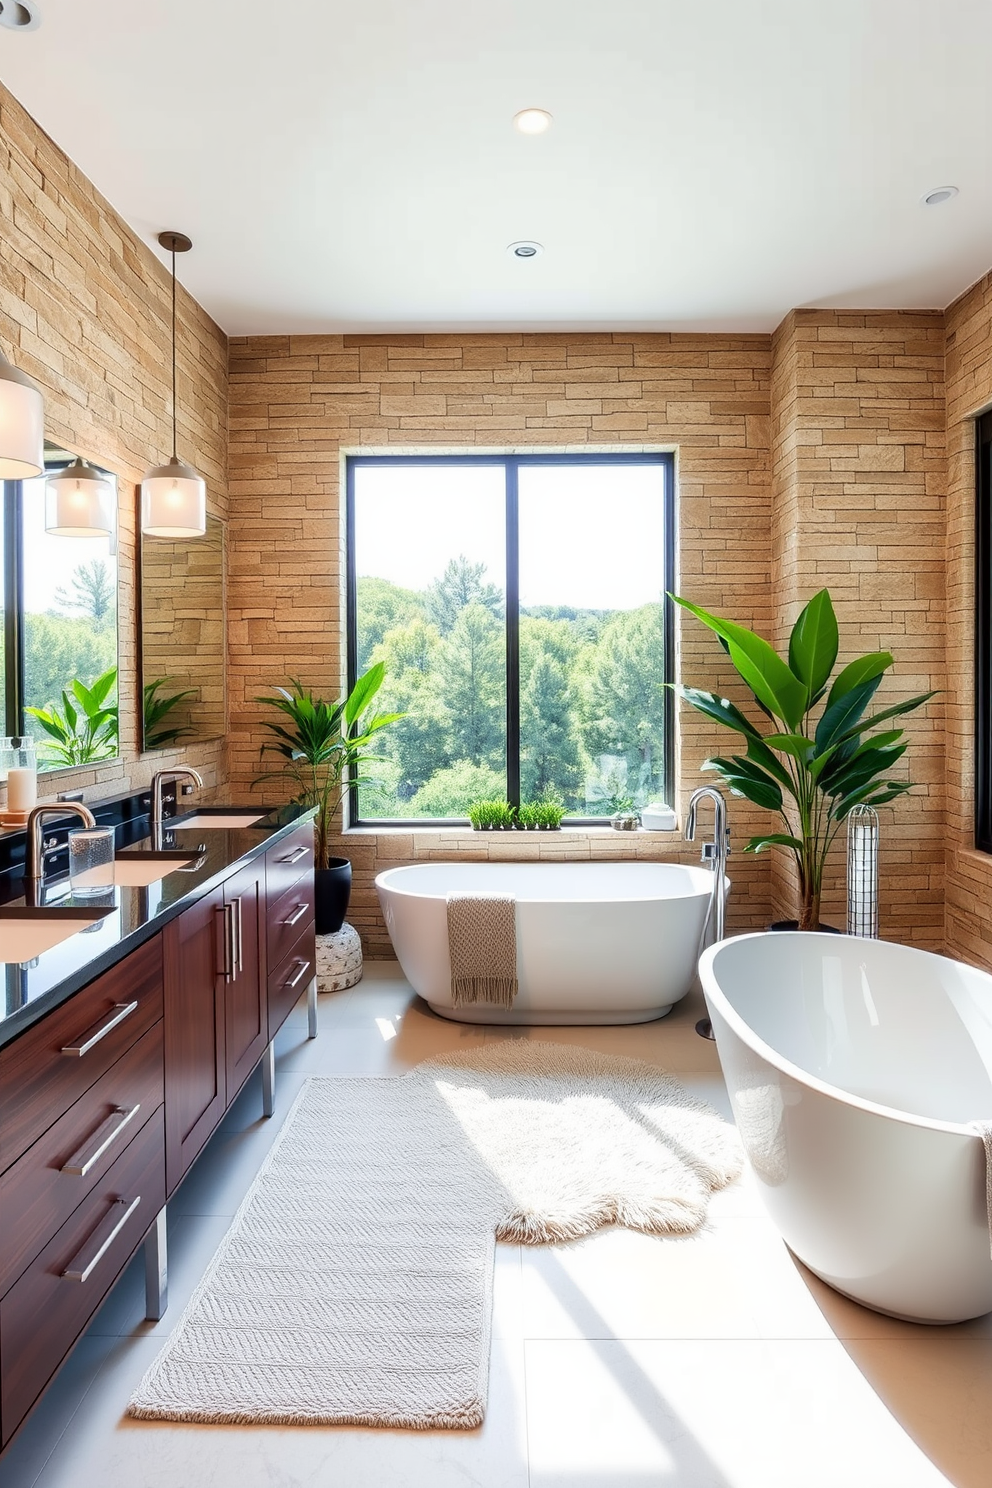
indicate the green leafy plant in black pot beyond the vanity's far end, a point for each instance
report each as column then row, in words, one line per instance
column 323, row 748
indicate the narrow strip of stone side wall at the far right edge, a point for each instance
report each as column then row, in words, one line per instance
column 969, row 874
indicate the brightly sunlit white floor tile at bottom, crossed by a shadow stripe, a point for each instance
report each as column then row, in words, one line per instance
column 741, row 1414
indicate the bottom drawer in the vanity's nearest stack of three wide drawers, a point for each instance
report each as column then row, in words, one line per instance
column 47, row 1310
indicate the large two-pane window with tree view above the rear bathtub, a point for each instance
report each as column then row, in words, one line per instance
column 520, row 605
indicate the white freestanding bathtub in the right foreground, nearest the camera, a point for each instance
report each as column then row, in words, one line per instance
column 856, row 1069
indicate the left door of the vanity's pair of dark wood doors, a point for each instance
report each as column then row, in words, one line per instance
column 196, row 1032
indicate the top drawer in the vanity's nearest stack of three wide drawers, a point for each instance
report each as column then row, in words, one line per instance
column 47, row 1071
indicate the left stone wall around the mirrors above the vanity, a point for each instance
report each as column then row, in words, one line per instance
column 86, row 312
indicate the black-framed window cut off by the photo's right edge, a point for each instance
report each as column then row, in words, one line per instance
column 984, row 636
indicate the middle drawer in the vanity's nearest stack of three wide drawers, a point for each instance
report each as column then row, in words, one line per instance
column 44, row 1187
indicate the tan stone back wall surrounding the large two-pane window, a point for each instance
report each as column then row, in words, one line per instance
column 300, row 403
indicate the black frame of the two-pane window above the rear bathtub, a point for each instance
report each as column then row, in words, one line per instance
column 512, row 464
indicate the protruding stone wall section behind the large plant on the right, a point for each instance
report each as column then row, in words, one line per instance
column 859, row 507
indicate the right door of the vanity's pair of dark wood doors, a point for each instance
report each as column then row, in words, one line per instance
column 248, row 1023
